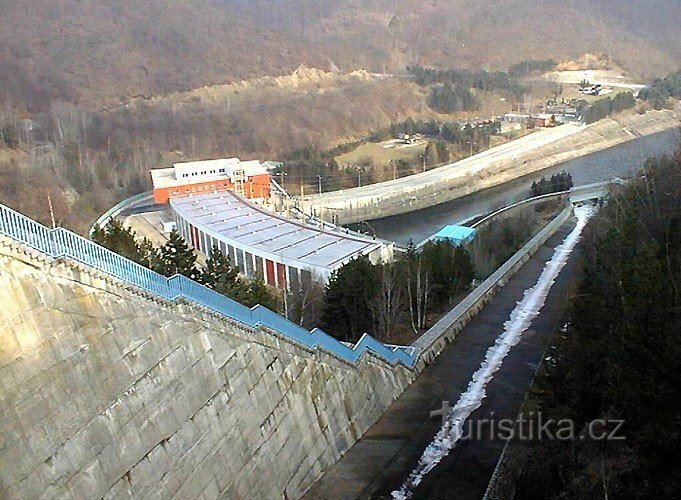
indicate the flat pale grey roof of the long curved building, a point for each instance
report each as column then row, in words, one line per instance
column 228, row 215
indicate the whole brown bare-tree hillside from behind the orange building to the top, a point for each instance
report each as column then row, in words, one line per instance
column 95, row 93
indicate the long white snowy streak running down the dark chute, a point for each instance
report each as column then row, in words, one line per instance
column 521, row 318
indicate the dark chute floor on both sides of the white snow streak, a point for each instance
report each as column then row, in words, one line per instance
column 383, row 458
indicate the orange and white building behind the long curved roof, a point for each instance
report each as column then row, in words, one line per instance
column 248, row 178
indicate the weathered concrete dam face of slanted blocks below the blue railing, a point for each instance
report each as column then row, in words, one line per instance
column 108, row 391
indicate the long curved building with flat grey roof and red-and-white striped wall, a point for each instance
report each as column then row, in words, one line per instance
column 285, row 253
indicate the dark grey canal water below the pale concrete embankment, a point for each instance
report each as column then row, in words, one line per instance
column 619, row 161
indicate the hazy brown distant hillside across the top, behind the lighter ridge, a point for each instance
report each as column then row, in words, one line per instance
column 101, row 52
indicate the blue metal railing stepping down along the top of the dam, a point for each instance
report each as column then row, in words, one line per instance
column 63, row 243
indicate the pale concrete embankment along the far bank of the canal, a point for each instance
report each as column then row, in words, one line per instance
column 488, row 169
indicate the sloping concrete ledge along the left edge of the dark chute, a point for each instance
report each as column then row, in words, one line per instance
column 433, row 341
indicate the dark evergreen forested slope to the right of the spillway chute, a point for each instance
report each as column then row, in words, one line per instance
column 620, row 356
